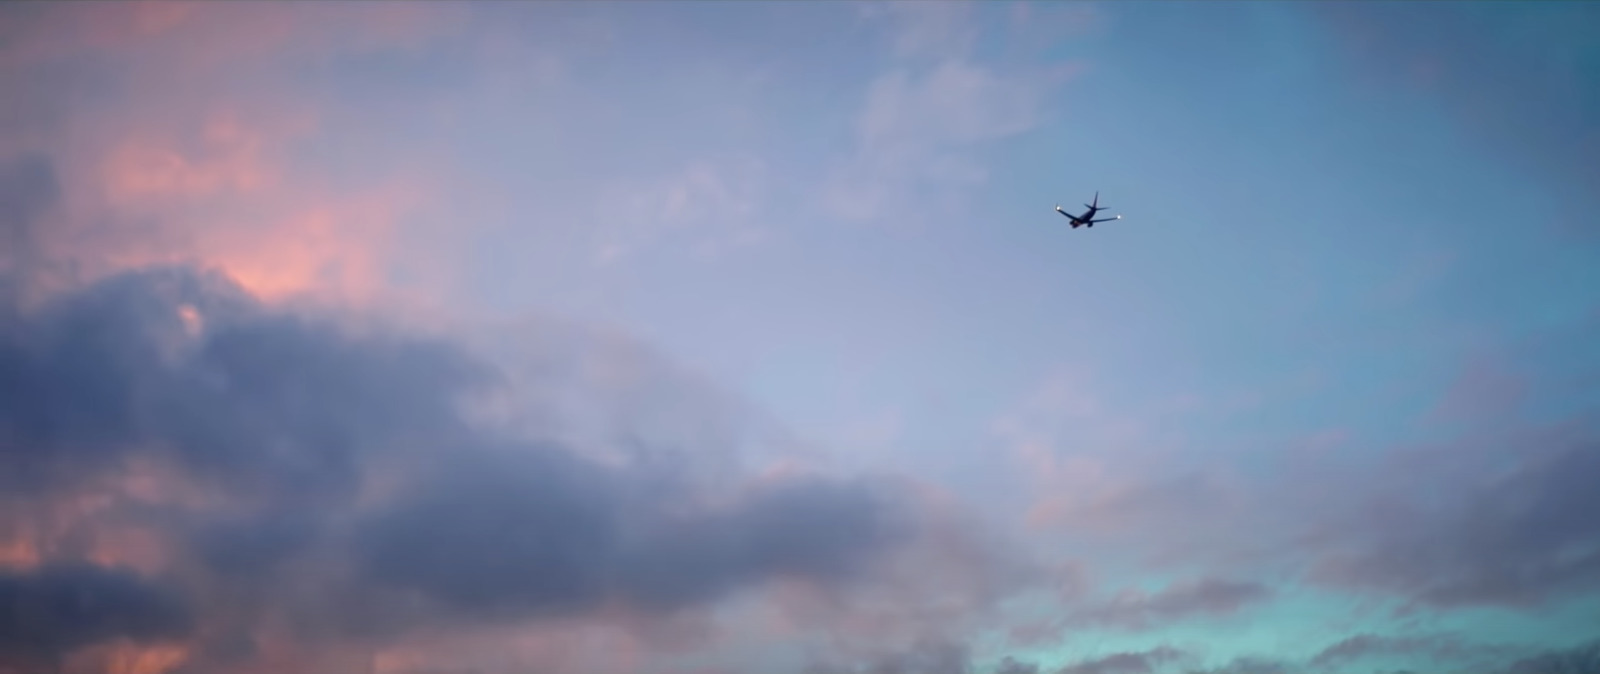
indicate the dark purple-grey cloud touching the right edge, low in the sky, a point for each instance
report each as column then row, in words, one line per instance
column 1518, row 539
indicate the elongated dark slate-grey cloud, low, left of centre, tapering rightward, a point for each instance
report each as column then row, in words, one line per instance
column 530, row 532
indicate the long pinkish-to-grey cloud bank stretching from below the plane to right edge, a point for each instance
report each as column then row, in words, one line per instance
column 1487, row 515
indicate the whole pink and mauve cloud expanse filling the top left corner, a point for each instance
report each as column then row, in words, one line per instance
column 182, row 134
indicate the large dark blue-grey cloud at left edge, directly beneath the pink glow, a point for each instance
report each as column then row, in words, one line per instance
column 266, row 404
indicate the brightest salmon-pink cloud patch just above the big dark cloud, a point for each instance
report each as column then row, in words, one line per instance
column 233, row 196
